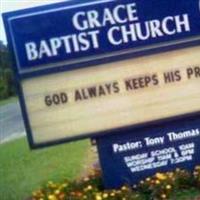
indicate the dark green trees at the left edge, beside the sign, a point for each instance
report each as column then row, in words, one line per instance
column 6, row 76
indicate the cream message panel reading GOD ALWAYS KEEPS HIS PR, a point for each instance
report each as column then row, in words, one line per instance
column 121, row 94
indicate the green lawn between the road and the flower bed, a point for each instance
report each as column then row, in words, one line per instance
column 23, row 170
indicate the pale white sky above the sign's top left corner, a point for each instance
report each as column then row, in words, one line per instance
column 12, row 5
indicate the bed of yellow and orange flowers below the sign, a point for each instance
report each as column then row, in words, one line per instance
column 160, row 186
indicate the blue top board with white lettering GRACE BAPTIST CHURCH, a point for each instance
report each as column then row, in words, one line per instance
column 72, row 33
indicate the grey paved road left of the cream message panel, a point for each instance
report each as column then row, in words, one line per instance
column 11, row 123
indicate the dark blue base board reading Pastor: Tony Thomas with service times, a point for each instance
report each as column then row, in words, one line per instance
column 132, row 156
